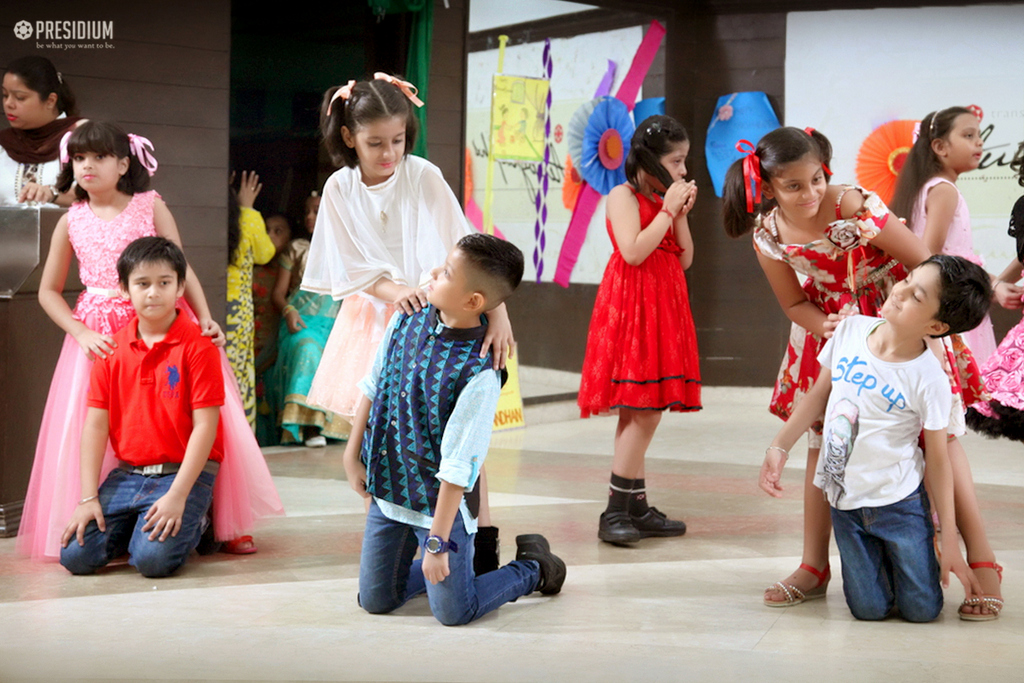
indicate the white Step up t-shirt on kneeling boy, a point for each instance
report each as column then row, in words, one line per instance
column 871, row 457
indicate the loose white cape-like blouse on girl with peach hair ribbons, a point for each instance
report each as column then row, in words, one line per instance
column 401, row 229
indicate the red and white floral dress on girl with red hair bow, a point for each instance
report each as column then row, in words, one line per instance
column 843, row 268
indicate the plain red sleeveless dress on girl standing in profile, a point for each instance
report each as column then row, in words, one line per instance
column 643, row 347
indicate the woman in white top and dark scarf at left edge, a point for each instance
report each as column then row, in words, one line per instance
column 40, row 109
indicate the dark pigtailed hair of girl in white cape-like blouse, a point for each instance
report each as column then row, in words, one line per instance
column 369, row 102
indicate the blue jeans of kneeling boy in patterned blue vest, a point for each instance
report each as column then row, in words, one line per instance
column 389, row 577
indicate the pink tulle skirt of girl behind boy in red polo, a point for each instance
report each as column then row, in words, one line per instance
column 244, row 489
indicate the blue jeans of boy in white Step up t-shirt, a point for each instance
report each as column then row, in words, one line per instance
column 889, row 560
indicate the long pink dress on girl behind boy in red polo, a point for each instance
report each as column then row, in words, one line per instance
column 244, row 490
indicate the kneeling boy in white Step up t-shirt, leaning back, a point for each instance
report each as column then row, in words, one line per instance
column 882, row 386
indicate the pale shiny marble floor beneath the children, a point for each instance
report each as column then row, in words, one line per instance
column 676, row 610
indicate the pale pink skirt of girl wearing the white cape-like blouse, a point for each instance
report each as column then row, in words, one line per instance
column 349, row 355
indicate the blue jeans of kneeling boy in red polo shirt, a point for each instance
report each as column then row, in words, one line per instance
column 125, row 499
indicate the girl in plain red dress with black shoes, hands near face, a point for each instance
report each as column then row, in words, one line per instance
column 642, row 350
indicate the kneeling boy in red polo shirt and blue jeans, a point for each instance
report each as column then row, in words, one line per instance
column 157, row 398
